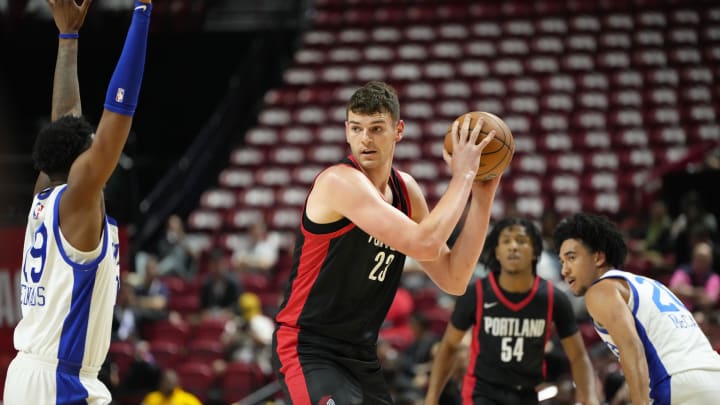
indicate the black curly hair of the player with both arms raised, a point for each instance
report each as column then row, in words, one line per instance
column 59, row 143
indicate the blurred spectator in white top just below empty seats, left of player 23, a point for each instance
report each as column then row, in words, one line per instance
column 261, row 253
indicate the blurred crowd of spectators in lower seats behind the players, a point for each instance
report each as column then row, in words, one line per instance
column 199, row 324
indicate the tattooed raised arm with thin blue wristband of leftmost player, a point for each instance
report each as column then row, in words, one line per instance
column 69, row 17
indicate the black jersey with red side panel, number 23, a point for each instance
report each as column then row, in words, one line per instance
column 343, row 280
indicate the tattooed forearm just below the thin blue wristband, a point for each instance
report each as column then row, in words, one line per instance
column 66, row 88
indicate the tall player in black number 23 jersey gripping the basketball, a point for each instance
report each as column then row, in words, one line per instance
column 362, row 217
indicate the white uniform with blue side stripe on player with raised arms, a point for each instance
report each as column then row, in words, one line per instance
column 67, row 300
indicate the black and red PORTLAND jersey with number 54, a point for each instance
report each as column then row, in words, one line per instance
column 510, row 332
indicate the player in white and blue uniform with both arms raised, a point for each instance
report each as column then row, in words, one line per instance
column 70, row 261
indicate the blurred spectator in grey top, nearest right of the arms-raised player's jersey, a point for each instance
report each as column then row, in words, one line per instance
column 174, row 255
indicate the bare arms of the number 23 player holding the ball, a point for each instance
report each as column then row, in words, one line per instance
column 349, row 193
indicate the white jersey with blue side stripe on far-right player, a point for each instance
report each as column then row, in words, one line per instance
column 684, row 368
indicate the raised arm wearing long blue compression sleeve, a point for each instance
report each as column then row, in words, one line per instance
column 81, row 207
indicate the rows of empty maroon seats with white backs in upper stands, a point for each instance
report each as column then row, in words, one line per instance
column 596, row 94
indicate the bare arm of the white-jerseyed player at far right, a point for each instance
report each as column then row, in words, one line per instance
column 608, row 307
